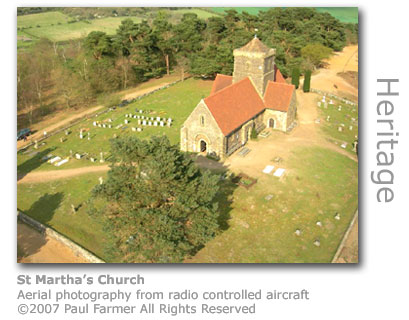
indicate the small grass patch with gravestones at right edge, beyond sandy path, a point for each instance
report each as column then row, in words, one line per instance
column 346, row 118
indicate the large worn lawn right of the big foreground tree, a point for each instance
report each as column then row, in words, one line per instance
column 319, row 184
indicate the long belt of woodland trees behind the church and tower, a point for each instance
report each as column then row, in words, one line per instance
column 77, row 72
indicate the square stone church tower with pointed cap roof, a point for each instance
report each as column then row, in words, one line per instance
column 254, row 60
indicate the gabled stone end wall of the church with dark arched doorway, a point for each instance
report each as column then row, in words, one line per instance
column 200, row 125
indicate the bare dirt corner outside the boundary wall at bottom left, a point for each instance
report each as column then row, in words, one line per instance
column 34, row 247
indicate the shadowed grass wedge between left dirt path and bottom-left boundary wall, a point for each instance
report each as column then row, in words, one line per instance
column 50, row 203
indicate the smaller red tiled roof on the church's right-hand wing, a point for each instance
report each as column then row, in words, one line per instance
column 278, row 96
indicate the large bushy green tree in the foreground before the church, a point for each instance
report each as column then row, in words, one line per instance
column 157, row 205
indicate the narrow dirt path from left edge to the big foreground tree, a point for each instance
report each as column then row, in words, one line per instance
column 45, row 176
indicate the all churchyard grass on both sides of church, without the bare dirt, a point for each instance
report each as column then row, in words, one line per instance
column 257, row 224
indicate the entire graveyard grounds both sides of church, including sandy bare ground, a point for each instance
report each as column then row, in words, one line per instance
column 297, row 198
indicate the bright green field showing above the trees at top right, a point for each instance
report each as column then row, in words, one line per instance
column 344, row 14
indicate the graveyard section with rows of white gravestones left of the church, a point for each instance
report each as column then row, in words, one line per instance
column 162, row 112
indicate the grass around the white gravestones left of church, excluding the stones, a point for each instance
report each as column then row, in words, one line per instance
column 176, row 102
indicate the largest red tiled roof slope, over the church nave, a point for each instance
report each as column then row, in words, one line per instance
column 234, row 105
